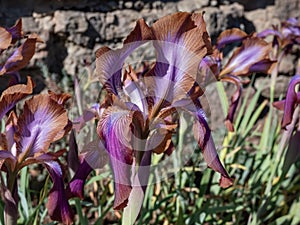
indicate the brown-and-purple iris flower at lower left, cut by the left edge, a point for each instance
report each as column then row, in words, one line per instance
column 26, row 140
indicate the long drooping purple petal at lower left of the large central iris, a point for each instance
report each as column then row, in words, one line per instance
column 114, row 129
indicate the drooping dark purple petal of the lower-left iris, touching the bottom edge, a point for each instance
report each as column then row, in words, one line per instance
column 58, row 206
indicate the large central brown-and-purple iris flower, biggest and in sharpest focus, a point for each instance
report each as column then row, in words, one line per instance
column 137, row 117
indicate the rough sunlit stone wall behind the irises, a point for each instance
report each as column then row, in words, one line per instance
column 72, row 30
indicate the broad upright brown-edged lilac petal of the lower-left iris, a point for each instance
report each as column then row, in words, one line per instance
column 38, row 126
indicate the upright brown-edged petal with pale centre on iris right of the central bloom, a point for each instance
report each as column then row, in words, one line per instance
column 253, row 50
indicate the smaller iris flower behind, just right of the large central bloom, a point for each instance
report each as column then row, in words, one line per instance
column 253, row 56
